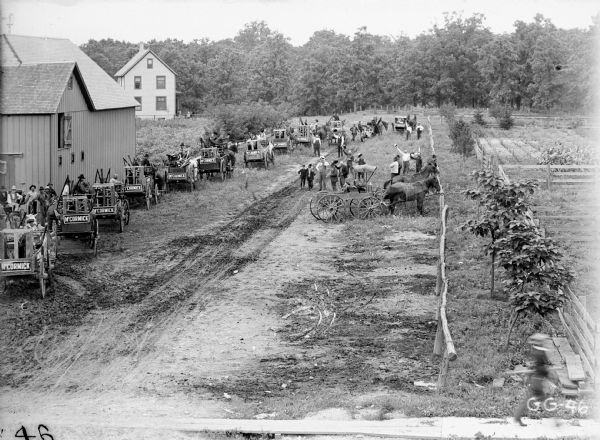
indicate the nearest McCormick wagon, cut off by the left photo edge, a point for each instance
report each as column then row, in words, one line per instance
column 27, row 253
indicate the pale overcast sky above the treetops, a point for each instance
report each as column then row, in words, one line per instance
column 143, row 20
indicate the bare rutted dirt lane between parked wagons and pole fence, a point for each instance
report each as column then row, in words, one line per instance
column 239, row 306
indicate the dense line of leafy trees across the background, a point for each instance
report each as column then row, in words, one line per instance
column 461, row 62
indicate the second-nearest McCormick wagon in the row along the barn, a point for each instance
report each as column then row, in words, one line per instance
column 77, row 220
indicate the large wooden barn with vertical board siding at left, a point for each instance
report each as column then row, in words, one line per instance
column 61, row 114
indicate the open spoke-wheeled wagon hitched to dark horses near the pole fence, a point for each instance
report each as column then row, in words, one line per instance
column 357, row 200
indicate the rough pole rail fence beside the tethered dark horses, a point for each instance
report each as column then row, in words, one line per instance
column 443, row 345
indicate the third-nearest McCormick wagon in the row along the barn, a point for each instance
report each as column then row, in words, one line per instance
column 109, row 203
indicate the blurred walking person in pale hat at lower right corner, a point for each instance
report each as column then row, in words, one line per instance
column 539, row 375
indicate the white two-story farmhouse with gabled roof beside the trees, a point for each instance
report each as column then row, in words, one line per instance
column 151, row 82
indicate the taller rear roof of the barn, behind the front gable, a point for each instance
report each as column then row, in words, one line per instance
column 103, row 91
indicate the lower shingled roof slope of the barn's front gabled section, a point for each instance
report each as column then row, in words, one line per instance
column 34, row 88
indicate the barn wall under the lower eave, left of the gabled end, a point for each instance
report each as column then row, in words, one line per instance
column 29, row 135
